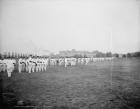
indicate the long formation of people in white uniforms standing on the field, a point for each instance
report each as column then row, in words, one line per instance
column 37, row 64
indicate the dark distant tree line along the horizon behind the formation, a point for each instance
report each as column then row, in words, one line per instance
column 97, row 54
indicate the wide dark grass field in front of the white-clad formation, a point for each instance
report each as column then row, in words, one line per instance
column 100, row 85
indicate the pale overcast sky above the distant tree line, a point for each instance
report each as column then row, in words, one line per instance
column 54, row 25
